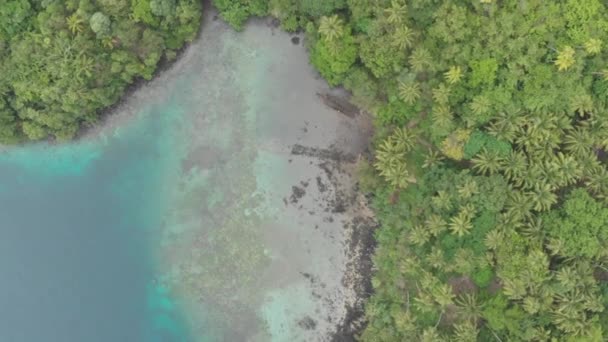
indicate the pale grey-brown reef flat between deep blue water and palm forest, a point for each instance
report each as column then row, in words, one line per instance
column 264, row 236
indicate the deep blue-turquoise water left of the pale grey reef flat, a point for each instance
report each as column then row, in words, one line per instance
column 77, row 224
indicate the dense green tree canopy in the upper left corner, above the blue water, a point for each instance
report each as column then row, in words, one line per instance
column 62, row 61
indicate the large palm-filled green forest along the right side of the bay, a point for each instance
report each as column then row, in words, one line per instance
column 490, row 175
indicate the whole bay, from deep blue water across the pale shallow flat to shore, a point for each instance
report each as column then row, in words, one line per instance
column 178, row 219
